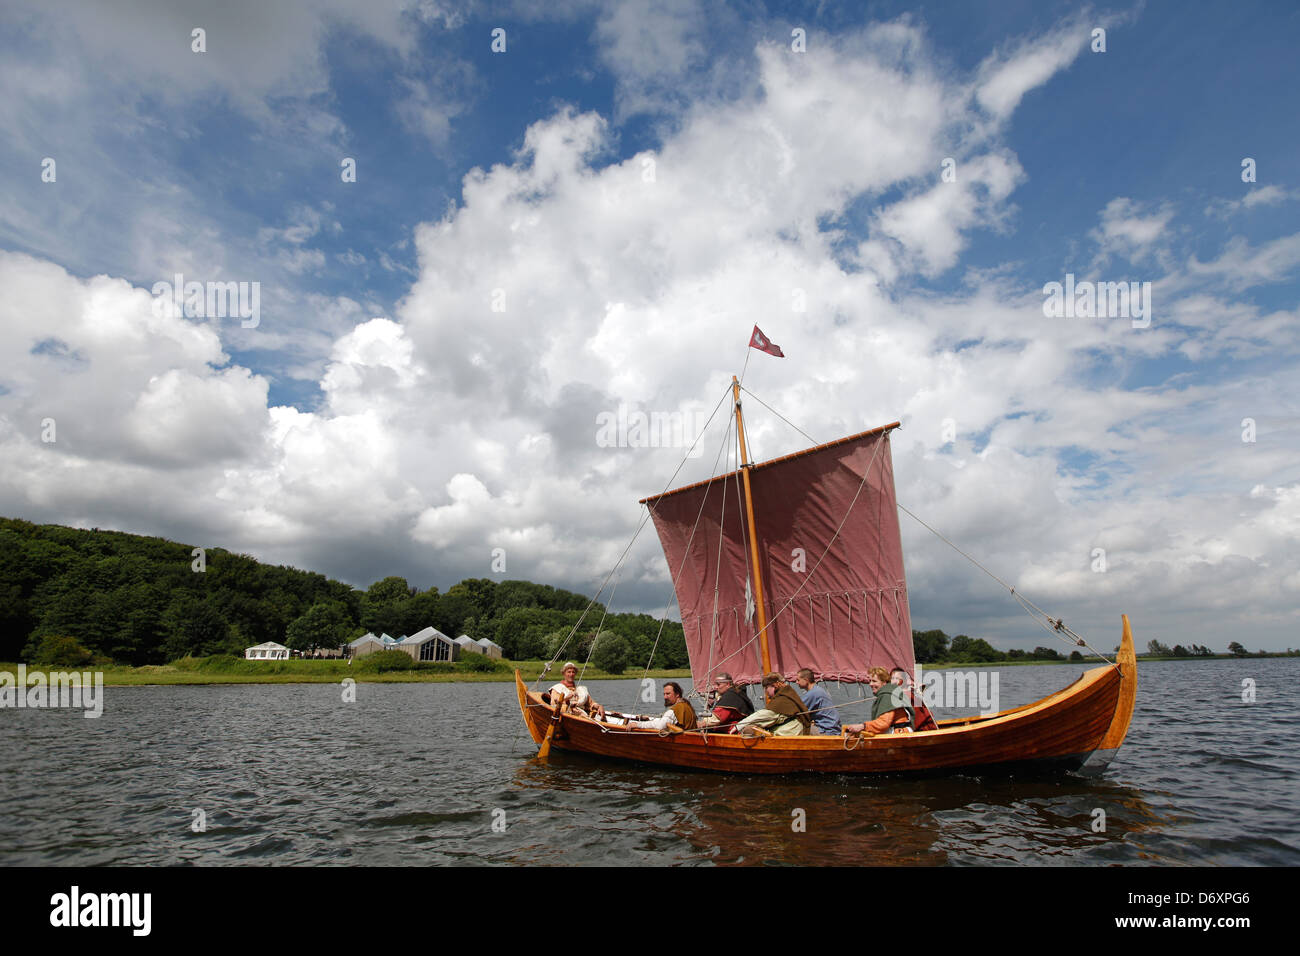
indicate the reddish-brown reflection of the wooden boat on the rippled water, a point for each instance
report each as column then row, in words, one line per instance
column 847, row 820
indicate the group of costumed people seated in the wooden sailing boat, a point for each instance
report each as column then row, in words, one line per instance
column 786, row 712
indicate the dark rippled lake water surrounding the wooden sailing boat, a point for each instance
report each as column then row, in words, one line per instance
column 417, row 775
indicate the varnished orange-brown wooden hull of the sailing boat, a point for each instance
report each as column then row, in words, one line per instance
column 1077, row 729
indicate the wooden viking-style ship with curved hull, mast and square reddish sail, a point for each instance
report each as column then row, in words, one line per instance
column 808, row 573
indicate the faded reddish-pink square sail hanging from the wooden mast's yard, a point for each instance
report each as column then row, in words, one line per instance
column 831, row 557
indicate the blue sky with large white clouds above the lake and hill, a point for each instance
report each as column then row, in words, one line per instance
column 383, row 419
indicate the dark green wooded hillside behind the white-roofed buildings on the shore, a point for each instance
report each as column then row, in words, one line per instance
column 135, row 600
